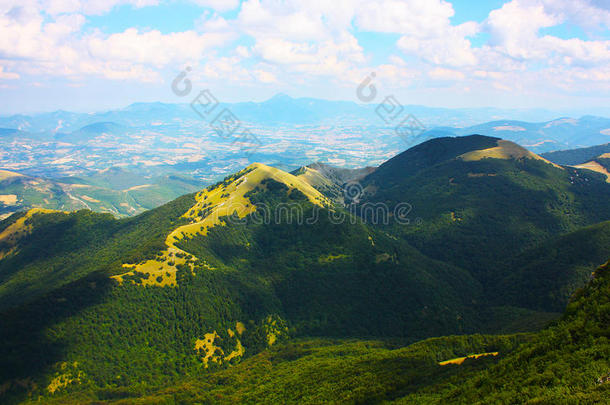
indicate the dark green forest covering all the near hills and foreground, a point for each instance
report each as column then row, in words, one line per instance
column 501, row 245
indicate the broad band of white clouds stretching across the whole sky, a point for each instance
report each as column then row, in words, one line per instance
column 298, row 42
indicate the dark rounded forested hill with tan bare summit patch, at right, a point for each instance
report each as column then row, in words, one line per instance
column 481, row 201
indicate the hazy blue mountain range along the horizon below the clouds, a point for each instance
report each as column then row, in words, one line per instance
column 538, row 130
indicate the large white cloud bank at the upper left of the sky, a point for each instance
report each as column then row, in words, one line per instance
column 33, row 43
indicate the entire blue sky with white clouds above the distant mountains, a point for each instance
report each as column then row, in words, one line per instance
column 102, row 54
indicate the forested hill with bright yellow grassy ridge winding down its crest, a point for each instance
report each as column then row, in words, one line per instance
column 191, row 269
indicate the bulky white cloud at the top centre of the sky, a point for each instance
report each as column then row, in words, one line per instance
column 302, row 37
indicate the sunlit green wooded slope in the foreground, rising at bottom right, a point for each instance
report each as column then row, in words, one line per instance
column 567, row 363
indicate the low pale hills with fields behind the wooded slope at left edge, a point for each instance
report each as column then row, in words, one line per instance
column 115, row 191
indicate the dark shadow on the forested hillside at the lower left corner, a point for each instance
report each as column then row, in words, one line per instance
column 28, row 350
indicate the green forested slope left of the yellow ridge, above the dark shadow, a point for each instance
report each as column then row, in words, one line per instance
column 65, row 247
